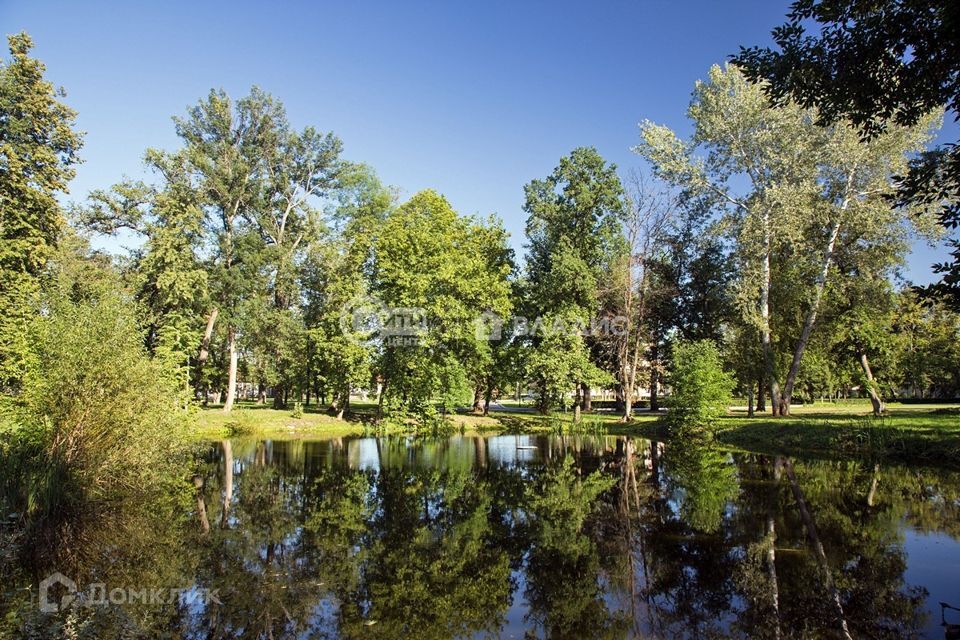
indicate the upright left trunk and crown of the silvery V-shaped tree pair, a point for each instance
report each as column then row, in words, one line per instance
column 742, row 136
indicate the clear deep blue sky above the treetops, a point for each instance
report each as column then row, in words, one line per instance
column 471, row 99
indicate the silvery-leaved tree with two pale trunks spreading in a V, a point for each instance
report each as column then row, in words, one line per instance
column 814, row 190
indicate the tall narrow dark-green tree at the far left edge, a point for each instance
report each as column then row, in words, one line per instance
column 38, row 149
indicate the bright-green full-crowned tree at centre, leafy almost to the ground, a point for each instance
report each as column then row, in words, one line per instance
column 446, row 270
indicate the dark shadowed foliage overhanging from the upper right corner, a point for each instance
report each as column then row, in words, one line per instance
column 877, row 64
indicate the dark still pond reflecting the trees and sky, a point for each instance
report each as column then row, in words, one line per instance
column 527, row 536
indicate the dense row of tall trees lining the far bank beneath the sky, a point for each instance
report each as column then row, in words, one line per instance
column 271, row 265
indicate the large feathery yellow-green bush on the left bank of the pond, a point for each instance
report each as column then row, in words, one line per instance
column 97, row 418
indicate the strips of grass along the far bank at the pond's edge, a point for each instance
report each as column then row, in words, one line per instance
column 916, row 433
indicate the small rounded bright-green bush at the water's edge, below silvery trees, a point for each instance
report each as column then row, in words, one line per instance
column 700, row 388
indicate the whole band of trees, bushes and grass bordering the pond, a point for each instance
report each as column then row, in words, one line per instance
column 271, row 269
